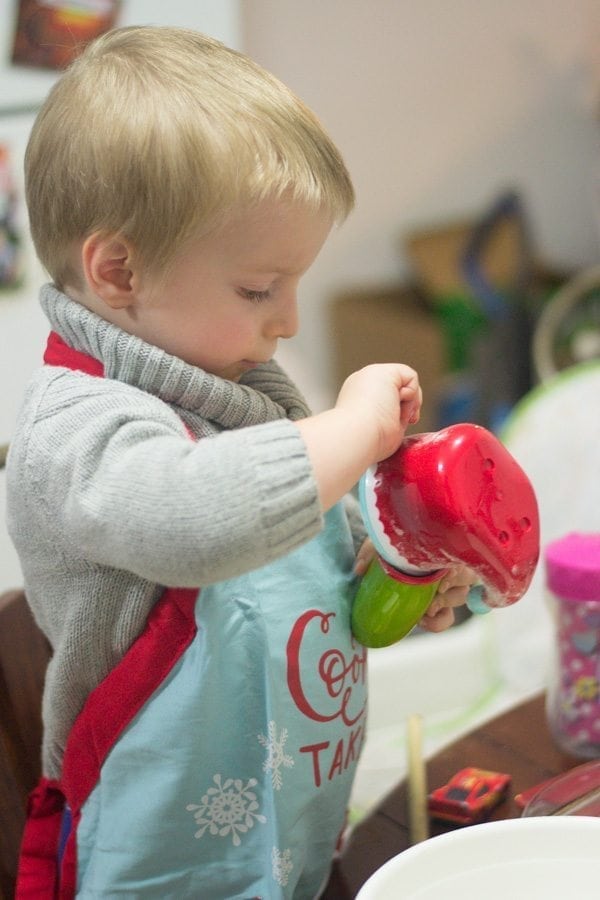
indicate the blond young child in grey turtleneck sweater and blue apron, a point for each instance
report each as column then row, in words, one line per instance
column 175, row 505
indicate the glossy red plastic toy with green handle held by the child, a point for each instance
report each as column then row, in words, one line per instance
column 447, row 497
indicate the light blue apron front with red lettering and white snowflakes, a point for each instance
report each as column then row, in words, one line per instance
column 233, row 780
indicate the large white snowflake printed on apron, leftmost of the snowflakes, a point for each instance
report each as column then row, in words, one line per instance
column 230, row 808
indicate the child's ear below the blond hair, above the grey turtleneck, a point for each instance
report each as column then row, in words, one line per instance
column 109, row 271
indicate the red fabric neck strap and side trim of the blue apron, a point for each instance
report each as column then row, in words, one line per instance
column 110, row 707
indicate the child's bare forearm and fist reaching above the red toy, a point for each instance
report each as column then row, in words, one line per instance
column 367, row 424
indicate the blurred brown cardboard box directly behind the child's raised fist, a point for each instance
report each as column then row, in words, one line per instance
column 389, row 325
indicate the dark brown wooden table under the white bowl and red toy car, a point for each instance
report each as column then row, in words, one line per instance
column 517, row 742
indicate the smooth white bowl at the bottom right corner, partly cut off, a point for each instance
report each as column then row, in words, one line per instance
column 543, row 858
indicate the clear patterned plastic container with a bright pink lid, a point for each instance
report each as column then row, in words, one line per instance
column 573, row 697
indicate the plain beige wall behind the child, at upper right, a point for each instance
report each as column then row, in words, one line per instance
column 437, row 107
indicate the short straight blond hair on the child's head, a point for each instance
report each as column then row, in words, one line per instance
column 154, row 133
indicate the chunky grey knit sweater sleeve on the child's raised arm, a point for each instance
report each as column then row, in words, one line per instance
column 113, row 476
